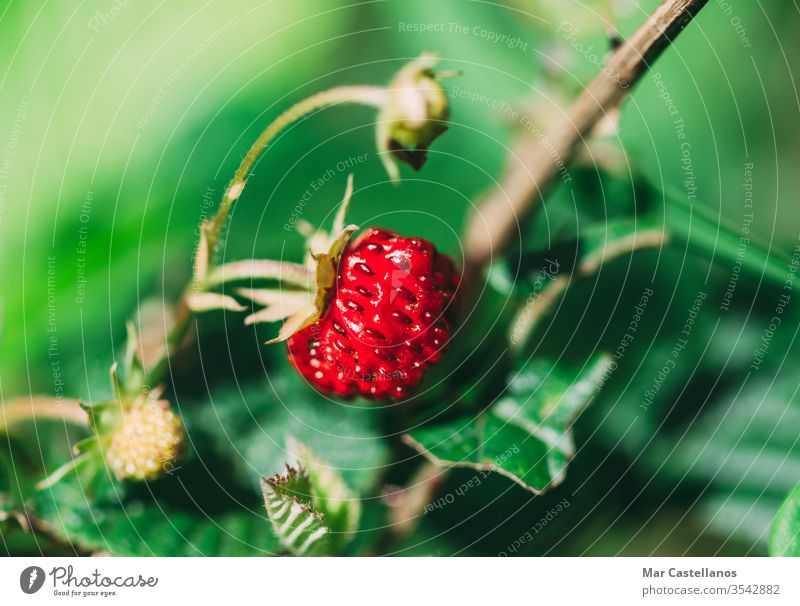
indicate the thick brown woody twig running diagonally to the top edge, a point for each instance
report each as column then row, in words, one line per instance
column 537, row 162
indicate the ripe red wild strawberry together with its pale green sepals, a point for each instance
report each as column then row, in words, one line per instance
column 365, row 318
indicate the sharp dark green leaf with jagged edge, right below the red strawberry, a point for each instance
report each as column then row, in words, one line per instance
column 525, row 435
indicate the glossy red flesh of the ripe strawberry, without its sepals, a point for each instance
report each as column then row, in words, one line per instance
column 389, row 317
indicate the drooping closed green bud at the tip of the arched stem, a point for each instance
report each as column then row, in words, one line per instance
column 415, row 114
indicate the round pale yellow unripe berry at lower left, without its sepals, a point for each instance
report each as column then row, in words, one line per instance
column 146, row 442
